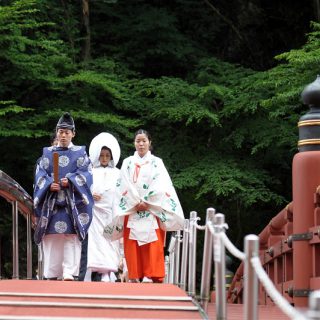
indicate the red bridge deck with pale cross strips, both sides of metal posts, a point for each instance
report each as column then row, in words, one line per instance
column 36, row 299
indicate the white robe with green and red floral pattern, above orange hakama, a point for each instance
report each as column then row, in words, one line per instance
column 145, row 180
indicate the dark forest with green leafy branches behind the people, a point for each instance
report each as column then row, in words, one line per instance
column 216, row 83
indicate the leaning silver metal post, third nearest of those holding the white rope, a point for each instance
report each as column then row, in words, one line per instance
column 207, row 261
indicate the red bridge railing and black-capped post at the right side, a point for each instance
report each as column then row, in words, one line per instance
column 290, row 243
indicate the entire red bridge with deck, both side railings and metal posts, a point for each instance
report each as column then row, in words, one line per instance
column 278, row 277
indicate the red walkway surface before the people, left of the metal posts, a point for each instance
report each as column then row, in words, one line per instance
column 96, row 288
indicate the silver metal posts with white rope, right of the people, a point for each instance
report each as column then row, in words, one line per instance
column 215, row 243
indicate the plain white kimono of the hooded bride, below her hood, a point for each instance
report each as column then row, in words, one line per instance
column 103, row 255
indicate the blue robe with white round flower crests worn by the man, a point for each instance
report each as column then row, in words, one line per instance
column 68, row 211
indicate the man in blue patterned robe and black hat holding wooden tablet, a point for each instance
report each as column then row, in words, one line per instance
column 63, row 202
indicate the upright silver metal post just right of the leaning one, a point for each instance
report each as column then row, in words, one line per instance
column 220, row 268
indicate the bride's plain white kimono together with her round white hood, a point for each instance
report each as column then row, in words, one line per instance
column 103, row 255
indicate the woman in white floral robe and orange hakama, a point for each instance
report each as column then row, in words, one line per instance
column 148, row 206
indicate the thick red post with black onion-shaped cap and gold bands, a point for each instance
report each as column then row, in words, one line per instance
column 305, row 180
